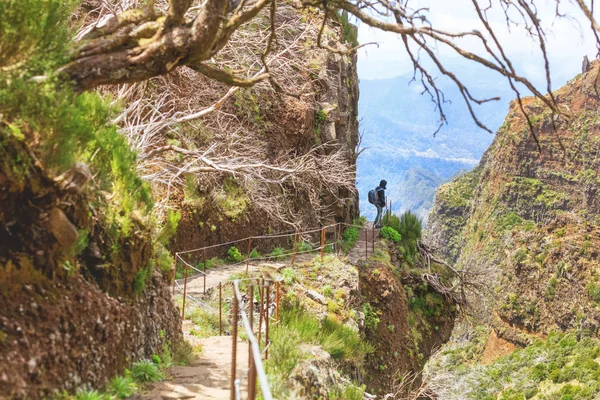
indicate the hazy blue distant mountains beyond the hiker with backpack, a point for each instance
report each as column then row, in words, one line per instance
column 398, row 125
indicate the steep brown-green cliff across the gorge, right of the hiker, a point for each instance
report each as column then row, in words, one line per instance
column 531, row 219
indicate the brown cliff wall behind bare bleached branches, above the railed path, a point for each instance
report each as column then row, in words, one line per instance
column 325, row 112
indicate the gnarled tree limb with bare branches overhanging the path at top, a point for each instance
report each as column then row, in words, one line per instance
column 140, row 43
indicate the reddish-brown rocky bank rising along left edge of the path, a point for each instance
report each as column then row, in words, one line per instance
column 73, row 312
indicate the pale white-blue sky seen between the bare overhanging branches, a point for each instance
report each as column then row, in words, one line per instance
column 568, row 41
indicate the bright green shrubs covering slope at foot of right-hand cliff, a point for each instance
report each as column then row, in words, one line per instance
column 564, row 366
